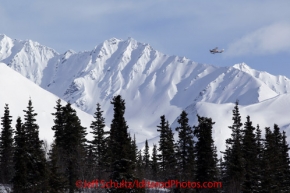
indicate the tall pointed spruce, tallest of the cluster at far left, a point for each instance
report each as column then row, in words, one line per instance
column 36, row 165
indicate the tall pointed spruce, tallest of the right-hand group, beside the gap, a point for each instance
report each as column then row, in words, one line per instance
column 233, row 160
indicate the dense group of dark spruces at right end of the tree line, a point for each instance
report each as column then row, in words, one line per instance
column 252, row 163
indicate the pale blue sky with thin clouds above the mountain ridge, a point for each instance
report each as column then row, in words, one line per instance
column 254, row 32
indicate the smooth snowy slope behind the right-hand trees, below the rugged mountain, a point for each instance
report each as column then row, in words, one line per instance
column 264, row 114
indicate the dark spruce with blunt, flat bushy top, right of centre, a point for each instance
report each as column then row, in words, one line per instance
column 206, row 157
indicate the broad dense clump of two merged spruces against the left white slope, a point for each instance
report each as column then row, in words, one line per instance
column 68, row 154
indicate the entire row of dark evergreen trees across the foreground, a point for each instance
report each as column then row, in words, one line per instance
column 250, row 163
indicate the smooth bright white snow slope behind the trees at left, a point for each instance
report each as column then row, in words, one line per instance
column 16, row 91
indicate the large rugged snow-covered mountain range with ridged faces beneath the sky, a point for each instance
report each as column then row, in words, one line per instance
column 151, row 83
